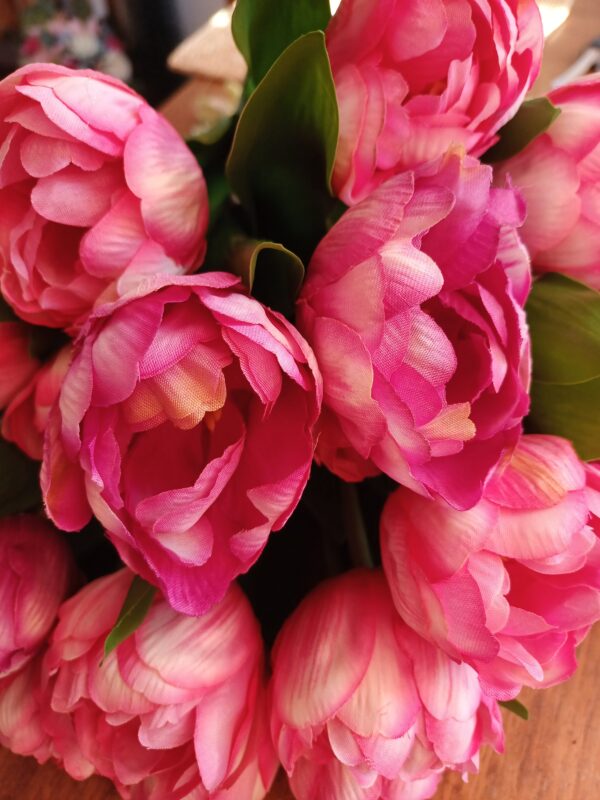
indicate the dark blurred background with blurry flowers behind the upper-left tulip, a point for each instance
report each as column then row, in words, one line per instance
column 129, row 39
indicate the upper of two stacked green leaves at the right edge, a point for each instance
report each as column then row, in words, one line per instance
column 564, row 321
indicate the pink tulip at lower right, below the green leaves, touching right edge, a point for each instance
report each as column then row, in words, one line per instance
column 510, row 586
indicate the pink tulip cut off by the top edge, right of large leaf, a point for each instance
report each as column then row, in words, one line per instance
column 416, row 77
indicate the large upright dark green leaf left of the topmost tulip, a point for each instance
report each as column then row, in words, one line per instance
column 284, row 146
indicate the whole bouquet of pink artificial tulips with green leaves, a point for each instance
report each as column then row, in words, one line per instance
column 317, row 480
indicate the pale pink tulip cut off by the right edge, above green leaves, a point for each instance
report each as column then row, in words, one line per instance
column 558, row 174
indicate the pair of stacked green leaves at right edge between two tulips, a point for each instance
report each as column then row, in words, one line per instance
column 564, row 320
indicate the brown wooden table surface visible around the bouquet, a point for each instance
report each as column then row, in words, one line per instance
column 553, row 756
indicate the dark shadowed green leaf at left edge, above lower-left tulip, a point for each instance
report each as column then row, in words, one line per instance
column 20, row 481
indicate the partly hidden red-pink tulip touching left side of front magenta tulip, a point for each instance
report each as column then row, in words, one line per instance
column 25, row 419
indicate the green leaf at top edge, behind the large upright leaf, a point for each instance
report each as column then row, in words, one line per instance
column 262, row 29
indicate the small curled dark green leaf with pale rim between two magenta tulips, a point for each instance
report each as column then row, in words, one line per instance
column 271, row 272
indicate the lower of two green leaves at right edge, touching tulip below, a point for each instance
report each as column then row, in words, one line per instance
column 569, row 410
